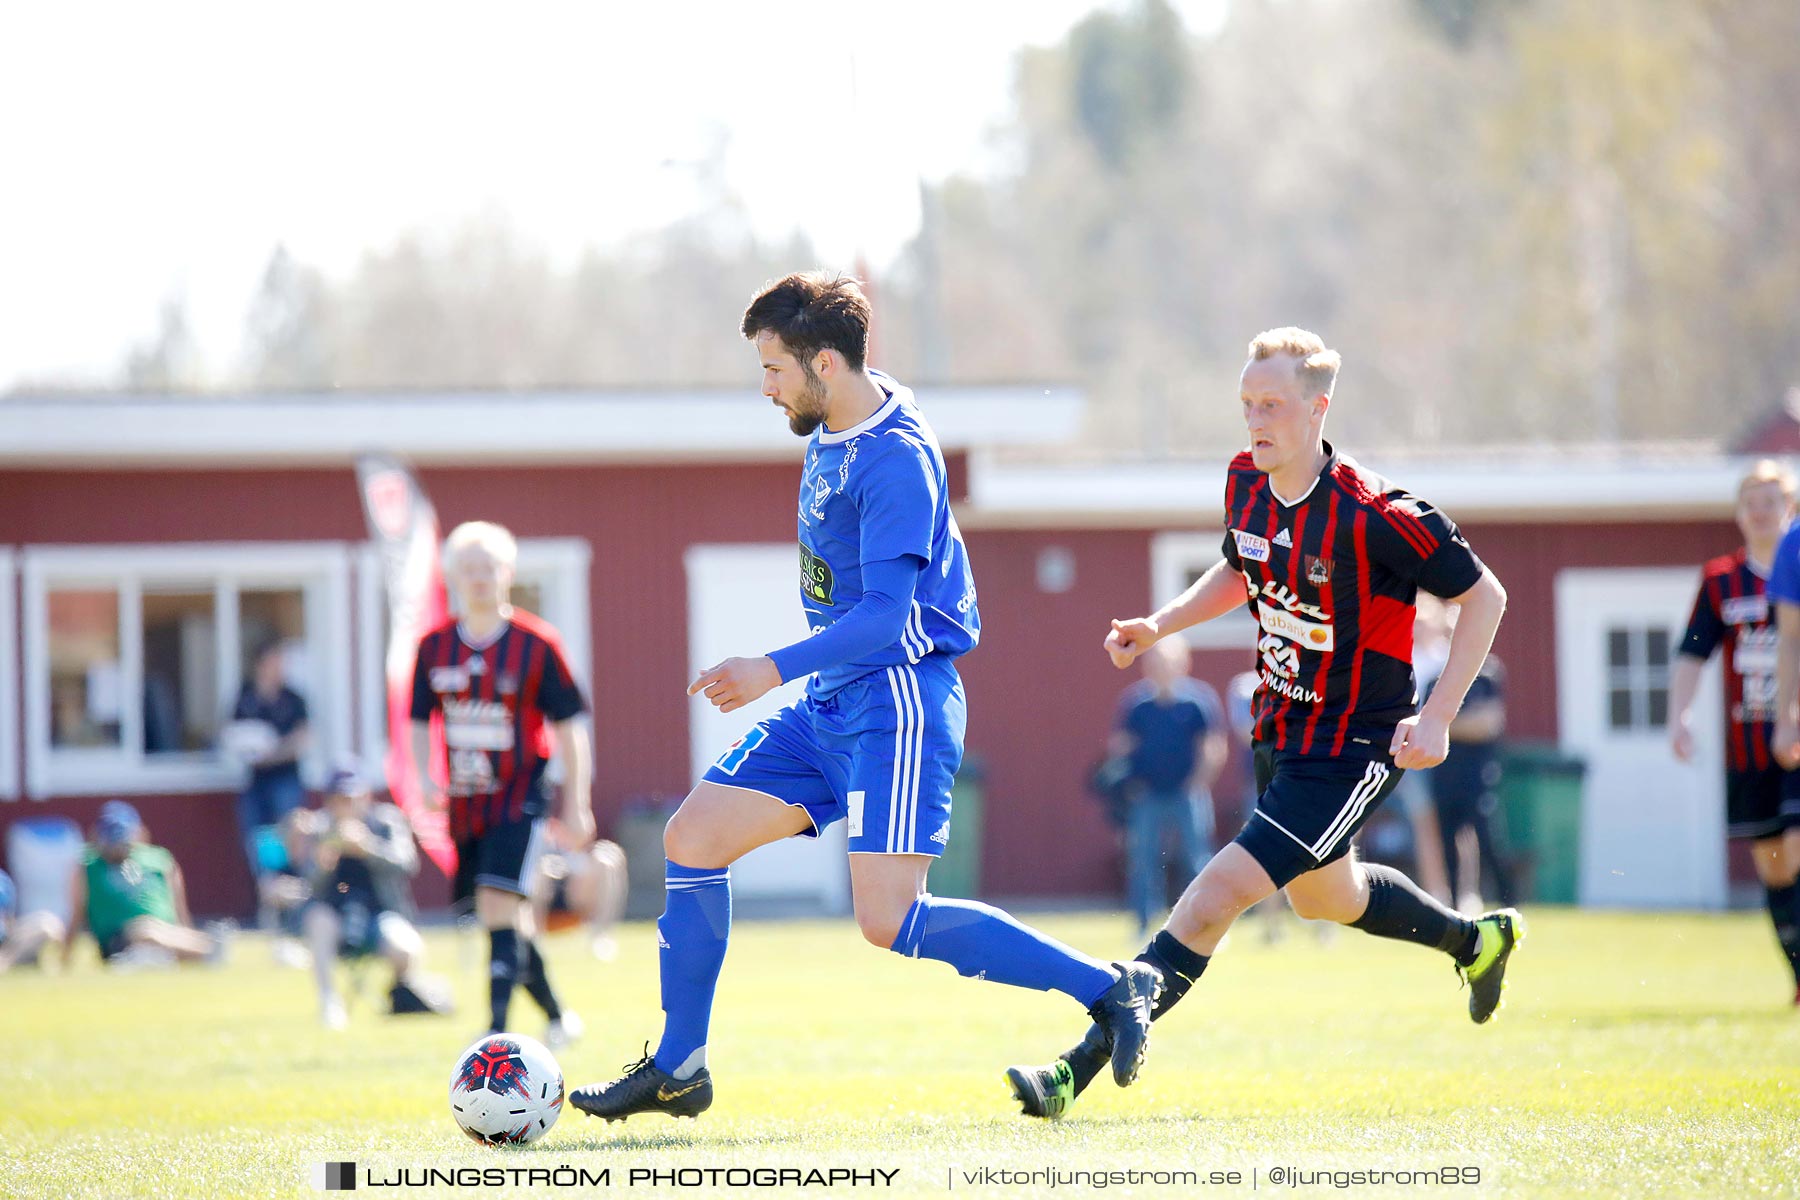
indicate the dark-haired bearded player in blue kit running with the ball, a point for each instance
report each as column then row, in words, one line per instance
column 879, row 735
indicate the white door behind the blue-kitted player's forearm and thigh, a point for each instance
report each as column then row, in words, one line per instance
column 744, row 600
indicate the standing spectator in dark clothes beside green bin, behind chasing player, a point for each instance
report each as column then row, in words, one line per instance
column 1466, row 793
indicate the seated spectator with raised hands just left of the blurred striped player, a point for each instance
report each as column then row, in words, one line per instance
column 359, row 857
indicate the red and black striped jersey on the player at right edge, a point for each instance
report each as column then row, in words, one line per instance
column 1734, row 611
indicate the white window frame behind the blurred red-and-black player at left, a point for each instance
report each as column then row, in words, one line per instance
column 557, row 566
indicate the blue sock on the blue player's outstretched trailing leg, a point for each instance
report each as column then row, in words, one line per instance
column 985, row 944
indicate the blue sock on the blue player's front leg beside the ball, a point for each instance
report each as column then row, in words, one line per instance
column 692, row 936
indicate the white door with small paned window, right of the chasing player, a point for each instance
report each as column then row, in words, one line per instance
column 1653, row 828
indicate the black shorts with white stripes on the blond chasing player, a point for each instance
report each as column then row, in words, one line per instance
column 1311, row 807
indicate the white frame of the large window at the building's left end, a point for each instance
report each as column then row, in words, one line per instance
column 318, row 569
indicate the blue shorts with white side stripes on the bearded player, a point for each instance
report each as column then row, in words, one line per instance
column 879, row 753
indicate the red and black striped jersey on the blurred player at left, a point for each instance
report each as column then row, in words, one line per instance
column 496, row 699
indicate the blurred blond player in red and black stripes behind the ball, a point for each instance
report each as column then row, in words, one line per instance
column 499, row 679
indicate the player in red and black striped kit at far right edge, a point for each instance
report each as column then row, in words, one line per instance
column 1734, row 613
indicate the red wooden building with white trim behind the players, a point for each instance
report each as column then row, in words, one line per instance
column 148, row 542
